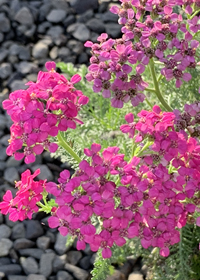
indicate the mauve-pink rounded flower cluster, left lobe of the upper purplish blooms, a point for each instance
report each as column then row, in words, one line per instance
column 113, row 59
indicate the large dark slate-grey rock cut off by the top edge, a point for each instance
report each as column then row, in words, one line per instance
column 81, row 7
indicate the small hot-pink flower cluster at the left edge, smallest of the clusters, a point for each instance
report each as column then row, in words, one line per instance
column 24, row 204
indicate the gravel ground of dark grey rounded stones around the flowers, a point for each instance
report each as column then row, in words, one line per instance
column 31, row 33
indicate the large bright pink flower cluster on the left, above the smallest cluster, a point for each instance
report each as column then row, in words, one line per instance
column 48, row 106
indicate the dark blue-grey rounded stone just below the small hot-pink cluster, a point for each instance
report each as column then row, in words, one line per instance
column 33, row 229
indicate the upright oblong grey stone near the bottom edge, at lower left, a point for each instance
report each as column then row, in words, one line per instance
column 46, row 262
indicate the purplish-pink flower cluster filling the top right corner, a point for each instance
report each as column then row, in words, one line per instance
column 157, row 34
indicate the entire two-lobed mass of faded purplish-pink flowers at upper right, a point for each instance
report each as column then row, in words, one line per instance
column 117, row 65
